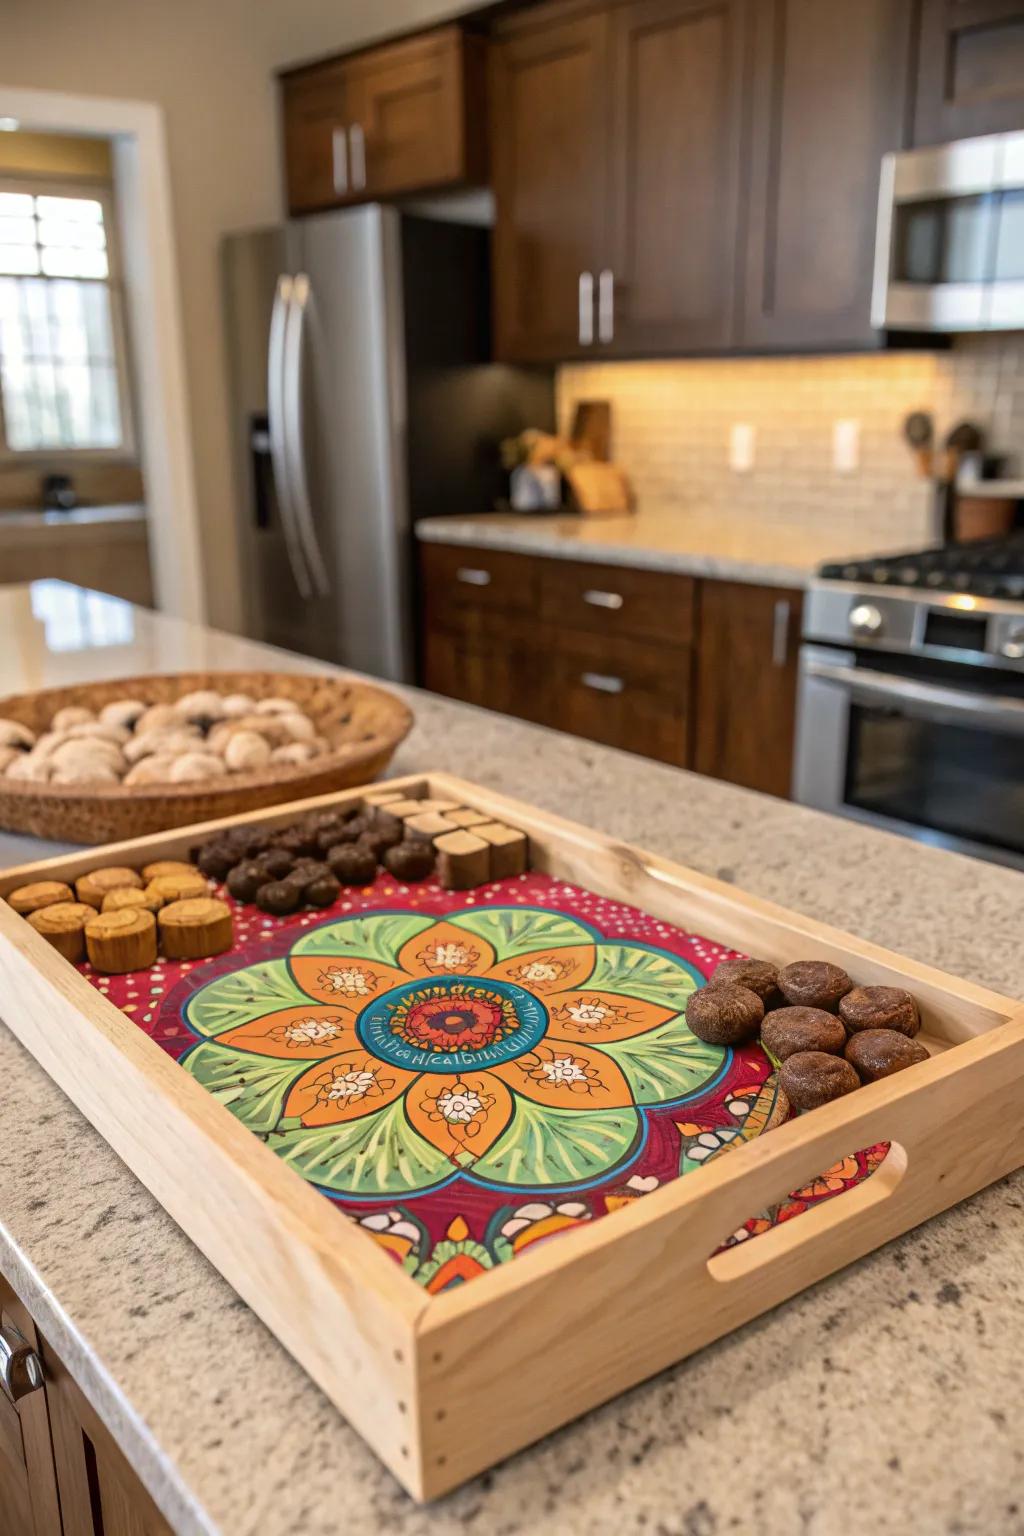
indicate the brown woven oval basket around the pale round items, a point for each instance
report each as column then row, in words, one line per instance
column 363, row 724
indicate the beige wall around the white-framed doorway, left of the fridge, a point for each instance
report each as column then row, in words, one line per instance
column 210, row 65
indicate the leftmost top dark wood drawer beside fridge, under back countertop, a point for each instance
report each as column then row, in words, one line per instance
column 460, row 583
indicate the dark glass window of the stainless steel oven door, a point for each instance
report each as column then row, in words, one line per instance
column 965, row 781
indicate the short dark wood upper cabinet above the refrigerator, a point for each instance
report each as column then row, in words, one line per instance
column 405, row 118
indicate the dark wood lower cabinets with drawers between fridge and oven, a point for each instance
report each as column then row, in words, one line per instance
column 701, row 675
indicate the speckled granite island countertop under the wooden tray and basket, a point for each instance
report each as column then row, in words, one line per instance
column 884, row 1399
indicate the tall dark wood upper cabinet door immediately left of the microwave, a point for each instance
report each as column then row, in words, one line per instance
column 830, row 96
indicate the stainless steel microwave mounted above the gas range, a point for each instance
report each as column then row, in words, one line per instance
column 950, row 253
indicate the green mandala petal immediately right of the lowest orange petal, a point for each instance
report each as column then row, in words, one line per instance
column 547, row 1147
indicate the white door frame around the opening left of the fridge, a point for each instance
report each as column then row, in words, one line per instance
column 154, row 311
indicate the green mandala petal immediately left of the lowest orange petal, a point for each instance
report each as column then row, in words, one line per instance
column 375, row 1156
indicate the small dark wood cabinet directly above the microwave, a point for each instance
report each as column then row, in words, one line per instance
column 971, row 76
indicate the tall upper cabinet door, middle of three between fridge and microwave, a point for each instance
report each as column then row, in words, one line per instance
column 676, row 147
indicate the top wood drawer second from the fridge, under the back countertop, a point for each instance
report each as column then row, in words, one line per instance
column 616, row 600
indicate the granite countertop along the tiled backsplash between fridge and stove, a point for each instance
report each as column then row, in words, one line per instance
column 692, row 541
